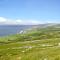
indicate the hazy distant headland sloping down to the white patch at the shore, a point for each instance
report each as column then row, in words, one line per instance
column 41, row 27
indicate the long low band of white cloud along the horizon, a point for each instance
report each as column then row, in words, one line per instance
column 5, row 21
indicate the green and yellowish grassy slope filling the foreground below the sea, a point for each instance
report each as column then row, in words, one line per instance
column 36, row 44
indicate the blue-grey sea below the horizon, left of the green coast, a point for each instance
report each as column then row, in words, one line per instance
column 6, row 30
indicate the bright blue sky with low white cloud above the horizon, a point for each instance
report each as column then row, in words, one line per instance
column 29, row 11
